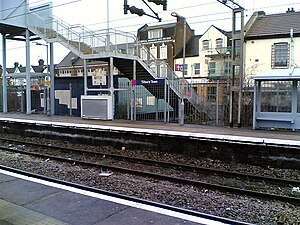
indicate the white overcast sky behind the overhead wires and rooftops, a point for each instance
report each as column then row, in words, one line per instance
column 199, row 14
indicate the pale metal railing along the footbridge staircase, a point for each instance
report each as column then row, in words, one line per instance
column 109, row 42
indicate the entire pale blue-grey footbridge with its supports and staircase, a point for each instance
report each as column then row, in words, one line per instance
column 119, row 49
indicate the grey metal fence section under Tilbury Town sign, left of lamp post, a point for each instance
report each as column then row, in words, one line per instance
column 145, row 102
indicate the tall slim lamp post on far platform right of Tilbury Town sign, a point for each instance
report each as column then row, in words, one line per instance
column 181, row 110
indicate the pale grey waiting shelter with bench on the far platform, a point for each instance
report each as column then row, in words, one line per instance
column 277, row 99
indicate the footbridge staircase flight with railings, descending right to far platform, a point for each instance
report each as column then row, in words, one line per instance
column 125, row 49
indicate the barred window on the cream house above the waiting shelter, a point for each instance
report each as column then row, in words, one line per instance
column 280, row 54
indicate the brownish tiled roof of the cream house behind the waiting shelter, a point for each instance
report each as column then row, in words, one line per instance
column 278, row 25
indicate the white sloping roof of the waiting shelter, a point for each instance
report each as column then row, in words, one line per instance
column 279, row 74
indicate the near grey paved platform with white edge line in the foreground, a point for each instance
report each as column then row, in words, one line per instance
column 30, row 201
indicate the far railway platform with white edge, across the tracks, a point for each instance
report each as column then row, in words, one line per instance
column 279, row 137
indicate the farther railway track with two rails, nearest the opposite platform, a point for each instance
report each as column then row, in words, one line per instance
column 88, row 158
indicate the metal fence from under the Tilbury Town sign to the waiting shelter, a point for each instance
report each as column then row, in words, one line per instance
column 156, row 103
